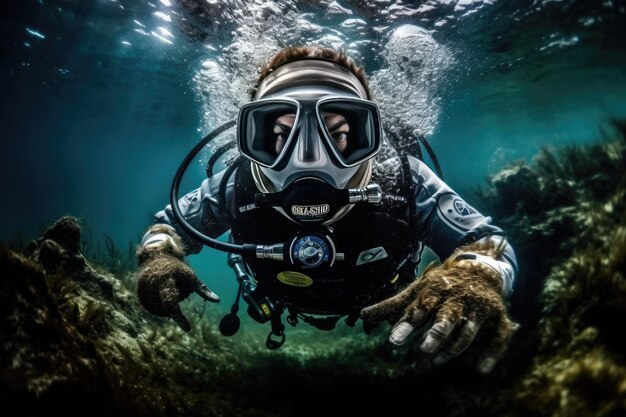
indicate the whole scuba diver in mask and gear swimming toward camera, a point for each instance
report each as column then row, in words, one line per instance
column 327, row 219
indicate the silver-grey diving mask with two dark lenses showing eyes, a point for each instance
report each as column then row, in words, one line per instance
column 327, row 137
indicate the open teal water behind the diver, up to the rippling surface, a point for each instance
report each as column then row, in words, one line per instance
column 101, row 100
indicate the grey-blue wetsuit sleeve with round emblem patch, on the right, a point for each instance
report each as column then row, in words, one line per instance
column 446, row 221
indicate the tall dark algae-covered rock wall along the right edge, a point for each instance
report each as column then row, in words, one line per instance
column 574, row 252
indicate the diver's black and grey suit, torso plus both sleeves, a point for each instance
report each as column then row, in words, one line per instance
column 381, row 243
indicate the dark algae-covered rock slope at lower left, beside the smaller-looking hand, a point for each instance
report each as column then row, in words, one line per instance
column 75, row 342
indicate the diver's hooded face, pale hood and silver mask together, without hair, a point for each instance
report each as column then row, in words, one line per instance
column 310, row 117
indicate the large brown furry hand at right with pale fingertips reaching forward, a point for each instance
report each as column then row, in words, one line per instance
column 464, row 297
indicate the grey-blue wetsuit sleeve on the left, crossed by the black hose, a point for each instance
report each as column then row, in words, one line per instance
column 201, row 209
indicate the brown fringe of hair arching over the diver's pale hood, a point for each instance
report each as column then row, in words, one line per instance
column 294, row 53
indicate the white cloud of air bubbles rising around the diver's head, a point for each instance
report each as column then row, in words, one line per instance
column 404, row 85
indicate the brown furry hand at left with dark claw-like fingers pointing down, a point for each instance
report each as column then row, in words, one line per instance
column 165, row 280
